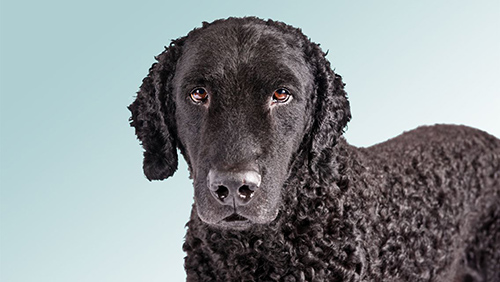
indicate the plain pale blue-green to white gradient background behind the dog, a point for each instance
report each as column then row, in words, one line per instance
column 75, row 205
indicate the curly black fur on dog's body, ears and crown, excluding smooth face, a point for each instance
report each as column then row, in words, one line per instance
column 424, row 206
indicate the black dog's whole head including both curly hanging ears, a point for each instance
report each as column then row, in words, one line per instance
column 244, row 100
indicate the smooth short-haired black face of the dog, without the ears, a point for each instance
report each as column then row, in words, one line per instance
column 242, row 97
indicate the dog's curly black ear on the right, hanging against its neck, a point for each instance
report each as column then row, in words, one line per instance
column 331, row 115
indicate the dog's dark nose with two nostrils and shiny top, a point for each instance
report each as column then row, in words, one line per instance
column 233, row 188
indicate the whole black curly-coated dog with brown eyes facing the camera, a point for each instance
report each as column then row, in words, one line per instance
column 253, row 97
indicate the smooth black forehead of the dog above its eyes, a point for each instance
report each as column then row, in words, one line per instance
column 240, row 52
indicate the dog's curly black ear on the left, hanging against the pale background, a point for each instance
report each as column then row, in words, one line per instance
column 153, row 115
